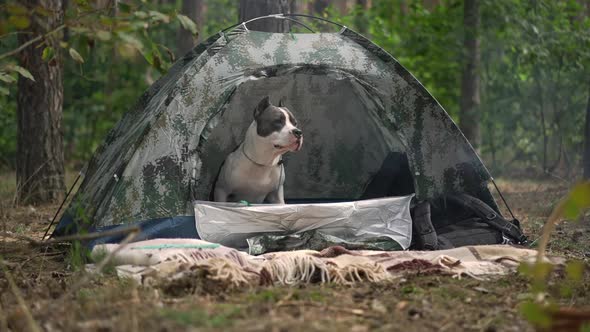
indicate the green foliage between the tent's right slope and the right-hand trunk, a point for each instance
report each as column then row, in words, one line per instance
column 428, row 42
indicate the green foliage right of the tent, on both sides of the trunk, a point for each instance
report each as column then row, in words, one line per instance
column 535, row 64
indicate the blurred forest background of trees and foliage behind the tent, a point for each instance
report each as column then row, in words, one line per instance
column 514, row 74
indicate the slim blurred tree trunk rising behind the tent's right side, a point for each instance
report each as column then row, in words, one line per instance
column 469, row 113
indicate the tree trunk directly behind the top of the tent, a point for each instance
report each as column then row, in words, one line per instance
column 253, row 8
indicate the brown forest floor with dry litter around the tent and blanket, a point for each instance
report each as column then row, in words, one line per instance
column 44, row 278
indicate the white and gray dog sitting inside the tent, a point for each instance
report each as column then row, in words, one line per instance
column 254, row 171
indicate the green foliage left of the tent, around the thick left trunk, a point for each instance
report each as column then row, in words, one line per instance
column 113, row 55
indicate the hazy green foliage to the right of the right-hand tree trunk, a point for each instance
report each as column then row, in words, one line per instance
column 536, row 59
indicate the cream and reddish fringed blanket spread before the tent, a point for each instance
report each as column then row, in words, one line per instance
column 169, row 259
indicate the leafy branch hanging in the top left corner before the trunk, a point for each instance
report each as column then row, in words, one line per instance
column 125, row 27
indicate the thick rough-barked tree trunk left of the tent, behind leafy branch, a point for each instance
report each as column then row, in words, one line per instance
column 40, row 158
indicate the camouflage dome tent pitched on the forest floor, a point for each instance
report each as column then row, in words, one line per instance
column 371, row 130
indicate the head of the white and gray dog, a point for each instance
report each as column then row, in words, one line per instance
column 278, row 126
